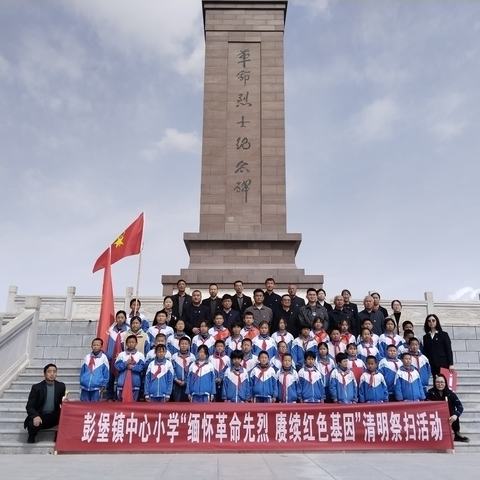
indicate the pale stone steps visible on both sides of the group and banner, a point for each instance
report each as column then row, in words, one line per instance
column 66, row 343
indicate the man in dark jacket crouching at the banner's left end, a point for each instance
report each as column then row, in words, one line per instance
column 44, row 401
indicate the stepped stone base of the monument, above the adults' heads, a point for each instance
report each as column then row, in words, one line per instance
column 250, row 257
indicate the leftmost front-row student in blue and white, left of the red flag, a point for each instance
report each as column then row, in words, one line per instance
column 94, row 373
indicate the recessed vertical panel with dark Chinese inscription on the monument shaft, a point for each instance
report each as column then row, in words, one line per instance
column 244, row 133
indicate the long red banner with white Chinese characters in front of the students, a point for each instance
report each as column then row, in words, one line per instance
column 217, row 427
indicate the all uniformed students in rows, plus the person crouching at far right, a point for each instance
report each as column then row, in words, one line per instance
column 245, row 363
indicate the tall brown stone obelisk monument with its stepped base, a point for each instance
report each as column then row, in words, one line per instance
column 243, row 232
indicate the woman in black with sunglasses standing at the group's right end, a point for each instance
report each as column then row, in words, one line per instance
column 437, row 346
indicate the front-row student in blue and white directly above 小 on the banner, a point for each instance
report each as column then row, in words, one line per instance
column 159, row 378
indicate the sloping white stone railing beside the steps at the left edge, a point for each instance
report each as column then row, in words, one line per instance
column 17, row 341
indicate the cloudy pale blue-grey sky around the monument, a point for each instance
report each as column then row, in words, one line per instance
column 101, row 118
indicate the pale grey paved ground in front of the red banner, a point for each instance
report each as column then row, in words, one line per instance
column 236, row 466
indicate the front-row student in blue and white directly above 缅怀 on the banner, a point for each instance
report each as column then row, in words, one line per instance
column 201, row 378
